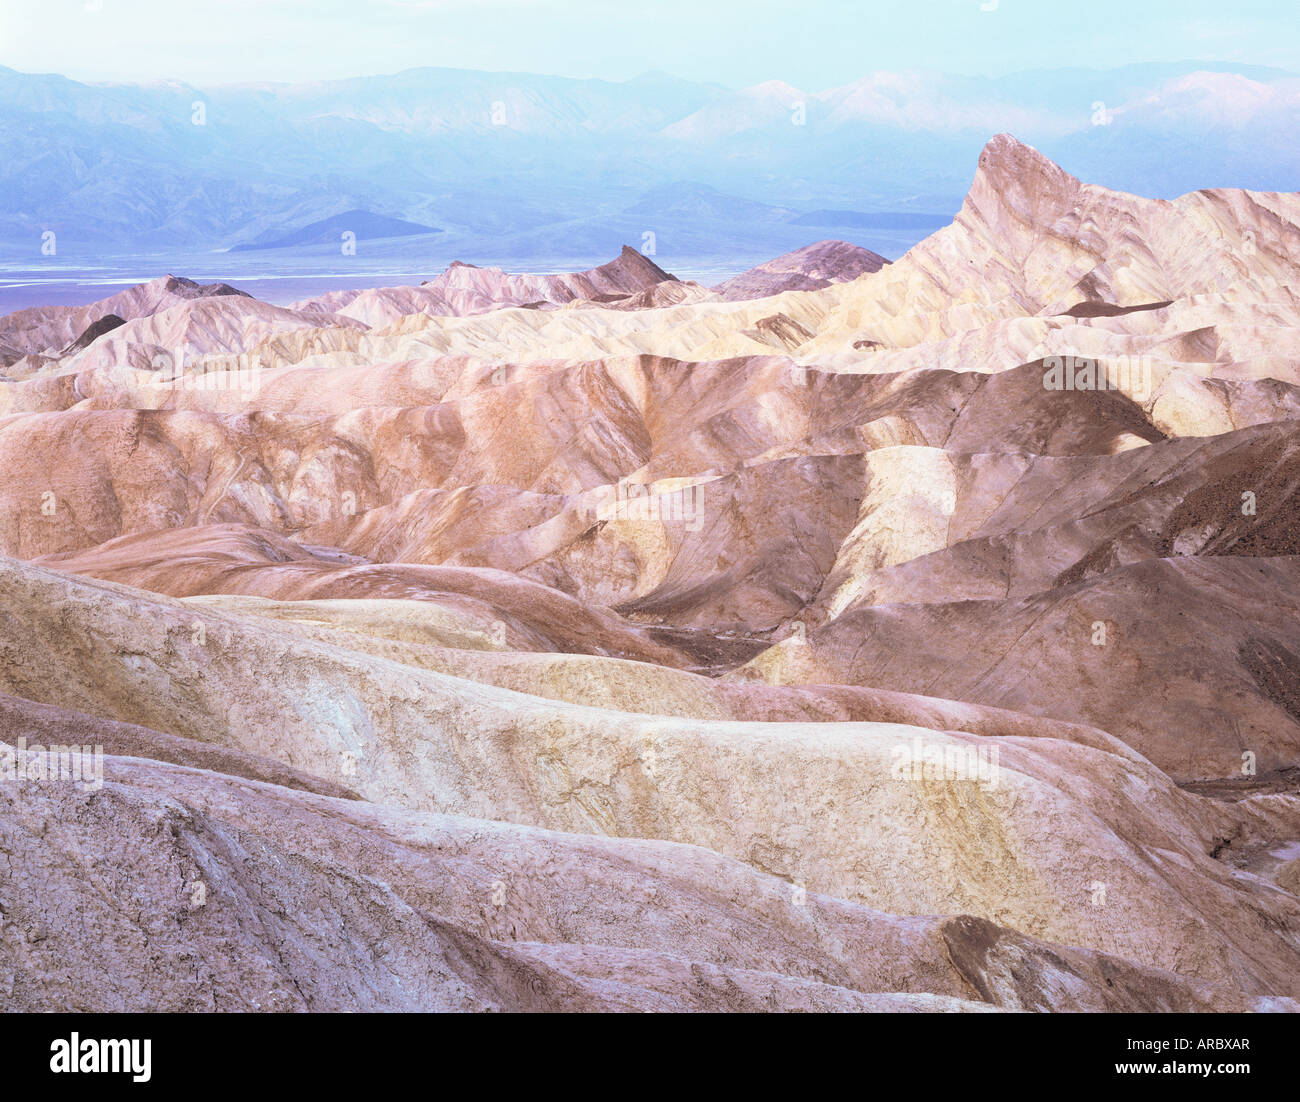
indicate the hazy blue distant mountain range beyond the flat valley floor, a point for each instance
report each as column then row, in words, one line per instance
column 514, row 164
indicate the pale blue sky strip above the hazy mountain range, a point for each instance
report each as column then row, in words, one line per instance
column 813, row 45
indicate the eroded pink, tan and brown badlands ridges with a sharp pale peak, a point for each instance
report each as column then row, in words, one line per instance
column 856, row 636
